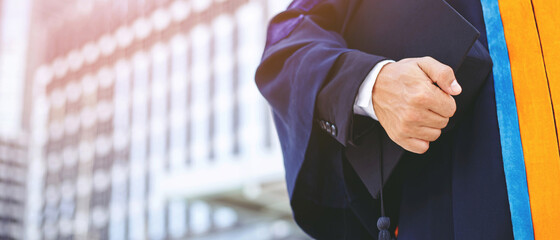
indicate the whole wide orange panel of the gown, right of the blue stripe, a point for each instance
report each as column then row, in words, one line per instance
column 536, row 94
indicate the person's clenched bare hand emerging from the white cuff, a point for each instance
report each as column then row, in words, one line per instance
column 410, row 108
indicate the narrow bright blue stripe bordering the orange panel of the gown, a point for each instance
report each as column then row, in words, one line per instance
column 512, row 150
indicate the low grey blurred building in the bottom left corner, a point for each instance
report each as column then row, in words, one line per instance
column 13, row 173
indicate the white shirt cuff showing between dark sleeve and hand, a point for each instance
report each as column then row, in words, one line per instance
column 363, row 105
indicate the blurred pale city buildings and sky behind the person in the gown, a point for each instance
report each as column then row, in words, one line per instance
column 137, row 119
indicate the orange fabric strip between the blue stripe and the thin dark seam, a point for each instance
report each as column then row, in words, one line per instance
column 536, row 119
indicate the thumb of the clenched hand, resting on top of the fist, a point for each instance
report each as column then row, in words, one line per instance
column 440, row 74
